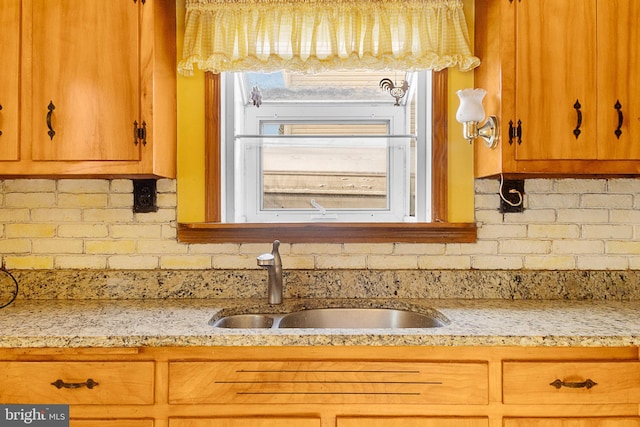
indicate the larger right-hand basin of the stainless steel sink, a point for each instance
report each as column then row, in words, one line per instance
column 358, row 318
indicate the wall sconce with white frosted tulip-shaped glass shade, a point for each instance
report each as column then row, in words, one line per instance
column 470, row 113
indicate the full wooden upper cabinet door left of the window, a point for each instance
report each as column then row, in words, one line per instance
column 85, row 78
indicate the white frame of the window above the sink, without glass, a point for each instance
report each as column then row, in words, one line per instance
column 242, row 189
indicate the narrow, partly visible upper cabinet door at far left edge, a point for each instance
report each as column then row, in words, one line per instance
column 9, row 76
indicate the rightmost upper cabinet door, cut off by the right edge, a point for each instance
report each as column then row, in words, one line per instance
column 618, row 79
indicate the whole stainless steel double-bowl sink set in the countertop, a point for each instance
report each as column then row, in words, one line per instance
column 339, row 318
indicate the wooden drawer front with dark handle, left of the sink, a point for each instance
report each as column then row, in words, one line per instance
column 97, row 383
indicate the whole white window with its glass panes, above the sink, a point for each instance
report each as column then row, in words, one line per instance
column 331, row 146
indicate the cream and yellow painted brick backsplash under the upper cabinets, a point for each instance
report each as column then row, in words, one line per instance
column 567, row 224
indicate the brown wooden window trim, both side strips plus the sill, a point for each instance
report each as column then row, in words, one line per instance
column 215, row 231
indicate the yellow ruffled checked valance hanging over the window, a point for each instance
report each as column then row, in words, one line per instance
column 319, row 35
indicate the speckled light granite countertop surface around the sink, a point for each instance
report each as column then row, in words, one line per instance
column 186, row 322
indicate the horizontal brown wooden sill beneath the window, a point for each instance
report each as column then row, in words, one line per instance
column 439, row 232
